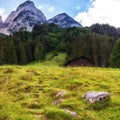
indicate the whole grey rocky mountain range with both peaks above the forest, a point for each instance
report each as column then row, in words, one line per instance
column 27, row 15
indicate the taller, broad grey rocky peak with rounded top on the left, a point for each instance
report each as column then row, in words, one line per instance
column 26, row 15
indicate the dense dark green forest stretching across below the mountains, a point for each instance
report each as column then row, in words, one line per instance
column 97, row 43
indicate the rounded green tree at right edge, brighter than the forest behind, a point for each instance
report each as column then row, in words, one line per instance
column 115, row 55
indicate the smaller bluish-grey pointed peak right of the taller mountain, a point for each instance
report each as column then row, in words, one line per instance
column 64, row 21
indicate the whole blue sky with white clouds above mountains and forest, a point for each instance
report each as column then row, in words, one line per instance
column 86, row 12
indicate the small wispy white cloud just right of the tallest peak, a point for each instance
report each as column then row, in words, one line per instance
column 47, row 7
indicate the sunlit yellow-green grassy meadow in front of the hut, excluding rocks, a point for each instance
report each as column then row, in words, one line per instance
column 28, row 92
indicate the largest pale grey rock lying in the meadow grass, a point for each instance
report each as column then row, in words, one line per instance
column 94, row 97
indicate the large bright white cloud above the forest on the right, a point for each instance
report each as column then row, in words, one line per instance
column 101, row 11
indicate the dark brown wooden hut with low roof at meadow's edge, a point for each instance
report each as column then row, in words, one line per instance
column 80, row 61
